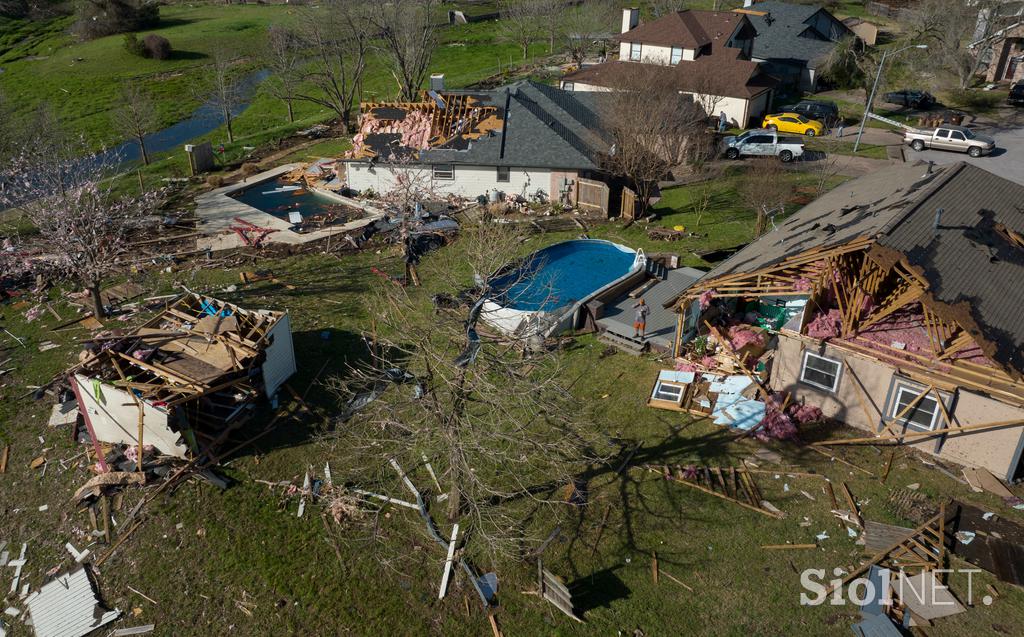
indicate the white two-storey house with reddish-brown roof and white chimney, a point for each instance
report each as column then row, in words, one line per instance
column 706, row 55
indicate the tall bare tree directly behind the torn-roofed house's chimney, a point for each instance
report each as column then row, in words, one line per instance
column 407, row 40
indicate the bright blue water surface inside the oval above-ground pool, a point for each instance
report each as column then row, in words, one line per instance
column 564, row 274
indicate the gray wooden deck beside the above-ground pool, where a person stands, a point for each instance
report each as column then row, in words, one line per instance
column 619, row 314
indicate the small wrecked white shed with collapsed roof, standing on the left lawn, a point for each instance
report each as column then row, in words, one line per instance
column 186, row 379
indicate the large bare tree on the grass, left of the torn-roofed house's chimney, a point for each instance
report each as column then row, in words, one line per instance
column 337, row 36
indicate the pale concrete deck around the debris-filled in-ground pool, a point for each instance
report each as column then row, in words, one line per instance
column 218, row 211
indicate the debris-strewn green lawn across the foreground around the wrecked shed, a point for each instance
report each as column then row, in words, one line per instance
column 203, row 550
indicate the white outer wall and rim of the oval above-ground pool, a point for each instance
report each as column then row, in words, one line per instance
column 547, row 324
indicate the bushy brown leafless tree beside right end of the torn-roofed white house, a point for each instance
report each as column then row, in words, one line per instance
column 651, row 126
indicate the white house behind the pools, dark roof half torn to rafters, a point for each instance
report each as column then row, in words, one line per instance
column 528, row 140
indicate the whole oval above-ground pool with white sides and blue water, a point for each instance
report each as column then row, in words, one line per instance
column 552, row 284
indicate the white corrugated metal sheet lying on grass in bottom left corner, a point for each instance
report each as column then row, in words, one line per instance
column 68, row 608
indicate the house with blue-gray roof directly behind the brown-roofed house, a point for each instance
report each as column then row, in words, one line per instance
column 794, row 41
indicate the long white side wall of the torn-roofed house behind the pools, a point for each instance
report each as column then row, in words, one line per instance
column 471, row 182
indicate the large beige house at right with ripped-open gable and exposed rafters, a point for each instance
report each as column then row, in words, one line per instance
column 893, row 304
